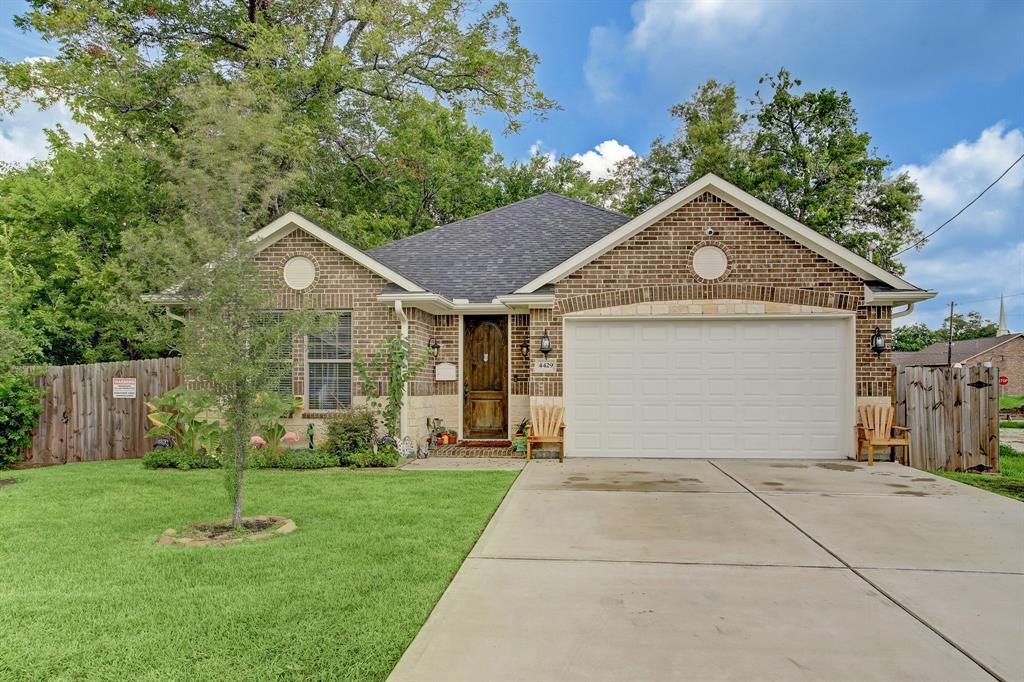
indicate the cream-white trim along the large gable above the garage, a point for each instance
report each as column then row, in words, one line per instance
column 742, row 200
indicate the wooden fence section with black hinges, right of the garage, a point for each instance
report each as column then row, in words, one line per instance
column 953, row 414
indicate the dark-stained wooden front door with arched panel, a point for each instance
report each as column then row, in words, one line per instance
column 486, row 369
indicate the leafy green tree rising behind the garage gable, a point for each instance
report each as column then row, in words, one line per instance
column 800, row 152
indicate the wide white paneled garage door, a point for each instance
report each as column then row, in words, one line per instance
column 757, row 389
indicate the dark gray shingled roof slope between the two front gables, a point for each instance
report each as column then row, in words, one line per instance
column 497, row 252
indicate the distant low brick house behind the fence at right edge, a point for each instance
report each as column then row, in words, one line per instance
column 1006, row 353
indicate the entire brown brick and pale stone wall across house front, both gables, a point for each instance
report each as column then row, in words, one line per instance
column 651, row 274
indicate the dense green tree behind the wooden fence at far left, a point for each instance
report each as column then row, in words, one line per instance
column 62, row 227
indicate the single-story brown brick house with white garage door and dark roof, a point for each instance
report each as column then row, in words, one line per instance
column 710, row 326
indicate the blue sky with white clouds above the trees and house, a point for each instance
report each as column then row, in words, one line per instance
column 941, row 88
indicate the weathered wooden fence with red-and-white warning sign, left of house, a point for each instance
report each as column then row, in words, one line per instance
column 83, row 420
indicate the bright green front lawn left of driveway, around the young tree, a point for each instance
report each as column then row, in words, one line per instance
column 88, row 594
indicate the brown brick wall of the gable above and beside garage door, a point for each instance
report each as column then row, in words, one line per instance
column 656, row 266
